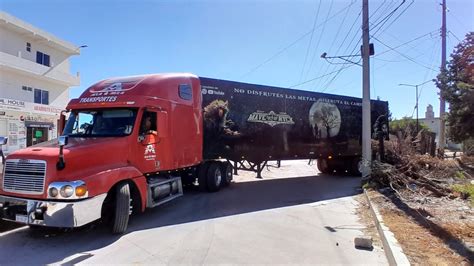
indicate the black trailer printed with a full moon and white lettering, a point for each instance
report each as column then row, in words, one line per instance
column 256, row 124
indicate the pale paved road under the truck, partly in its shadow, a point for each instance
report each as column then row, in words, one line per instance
column 293, row 215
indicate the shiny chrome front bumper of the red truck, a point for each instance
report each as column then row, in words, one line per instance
column 51, row 213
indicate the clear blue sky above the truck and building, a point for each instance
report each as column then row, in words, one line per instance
column 246, row 40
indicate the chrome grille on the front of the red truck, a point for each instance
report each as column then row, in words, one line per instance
column 24, row 176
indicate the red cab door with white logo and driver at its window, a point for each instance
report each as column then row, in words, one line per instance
column 148, row 160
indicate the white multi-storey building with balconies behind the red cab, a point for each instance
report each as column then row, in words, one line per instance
column 34, row 82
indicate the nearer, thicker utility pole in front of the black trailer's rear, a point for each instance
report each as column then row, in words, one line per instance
column 366, row 124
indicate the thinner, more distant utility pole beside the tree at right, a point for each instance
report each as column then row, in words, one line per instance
column 442, row 102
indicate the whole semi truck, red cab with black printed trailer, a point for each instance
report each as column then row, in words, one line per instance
column 132, row 143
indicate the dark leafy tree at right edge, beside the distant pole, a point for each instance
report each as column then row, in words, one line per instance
column 459, row 90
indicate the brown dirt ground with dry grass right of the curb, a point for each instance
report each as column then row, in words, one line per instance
column 431, row 231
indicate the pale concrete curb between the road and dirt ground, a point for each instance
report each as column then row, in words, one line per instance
column 392, row 248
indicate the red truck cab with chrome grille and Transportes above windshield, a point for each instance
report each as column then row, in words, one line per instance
column 126, row 145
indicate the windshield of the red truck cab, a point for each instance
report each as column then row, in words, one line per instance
column 100, row 123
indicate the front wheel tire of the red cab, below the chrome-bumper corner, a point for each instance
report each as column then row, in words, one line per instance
column 122, row 208
